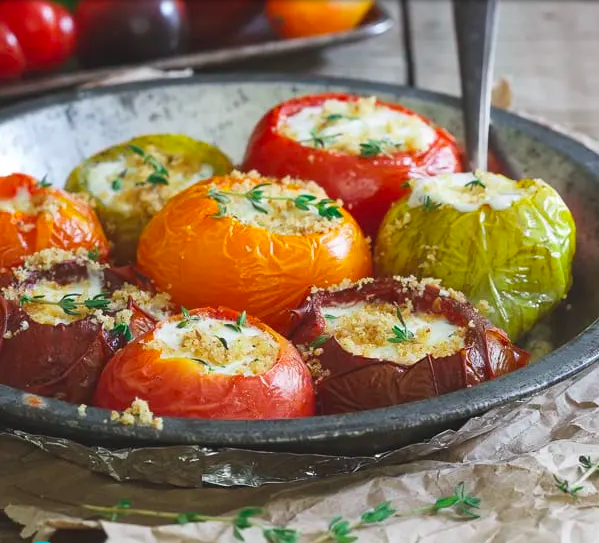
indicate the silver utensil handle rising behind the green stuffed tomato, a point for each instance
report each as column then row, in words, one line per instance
column 475, row 26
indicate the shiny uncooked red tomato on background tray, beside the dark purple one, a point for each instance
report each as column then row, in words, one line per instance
column 45, row 31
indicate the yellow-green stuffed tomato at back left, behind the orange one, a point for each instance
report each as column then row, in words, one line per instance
column 132, row 181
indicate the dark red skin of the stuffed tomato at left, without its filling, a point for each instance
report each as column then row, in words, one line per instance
column 62, row 361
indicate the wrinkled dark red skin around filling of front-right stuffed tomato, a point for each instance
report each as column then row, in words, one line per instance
column 356, row 383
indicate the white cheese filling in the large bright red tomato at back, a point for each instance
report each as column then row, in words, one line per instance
column 343, row 126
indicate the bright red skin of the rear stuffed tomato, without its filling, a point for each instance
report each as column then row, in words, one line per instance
column 367, row 186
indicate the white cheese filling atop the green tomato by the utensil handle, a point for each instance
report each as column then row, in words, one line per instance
column 467, row 192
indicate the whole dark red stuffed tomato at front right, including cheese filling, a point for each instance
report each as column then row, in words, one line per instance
column 389, row 341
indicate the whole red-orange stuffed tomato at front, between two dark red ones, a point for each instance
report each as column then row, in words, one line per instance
column 210, row 363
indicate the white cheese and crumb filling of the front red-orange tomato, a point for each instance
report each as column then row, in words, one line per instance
column 215, row 347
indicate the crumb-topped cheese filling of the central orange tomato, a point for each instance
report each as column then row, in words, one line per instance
column 276, row 210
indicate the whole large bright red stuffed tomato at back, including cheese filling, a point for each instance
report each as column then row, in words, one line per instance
column 360, row 150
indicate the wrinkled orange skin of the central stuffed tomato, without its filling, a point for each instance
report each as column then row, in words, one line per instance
column 205, row 261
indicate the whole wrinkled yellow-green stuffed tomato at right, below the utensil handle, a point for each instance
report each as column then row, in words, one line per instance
column 508, row 245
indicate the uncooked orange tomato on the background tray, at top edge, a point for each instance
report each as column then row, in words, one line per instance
column 301, row 18
